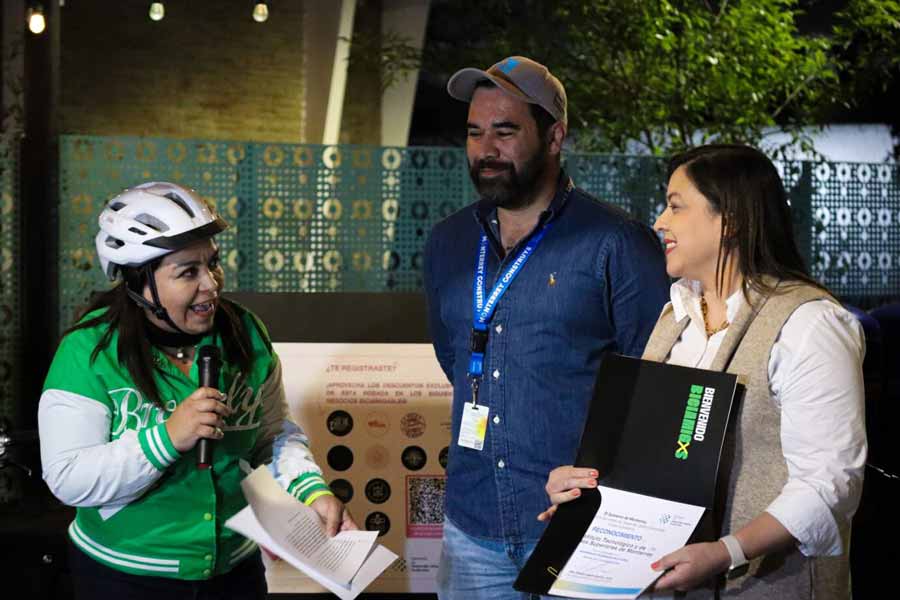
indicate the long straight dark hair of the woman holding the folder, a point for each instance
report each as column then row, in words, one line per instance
column 743, row 186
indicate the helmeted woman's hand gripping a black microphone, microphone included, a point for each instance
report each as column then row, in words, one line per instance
column 198, row 420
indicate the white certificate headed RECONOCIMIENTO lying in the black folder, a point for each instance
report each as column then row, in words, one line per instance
column 628, row 533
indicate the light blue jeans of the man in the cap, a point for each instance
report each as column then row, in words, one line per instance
column 476, row 569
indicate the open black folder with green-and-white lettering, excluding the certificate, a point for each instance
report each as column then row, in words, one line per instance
column 644, row 435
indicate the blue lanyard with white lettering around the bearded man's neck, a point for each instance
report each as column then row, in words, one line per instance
column 484, row 304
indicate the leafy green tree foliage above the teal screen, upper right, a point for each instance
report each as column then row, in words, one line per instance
column 667, row 74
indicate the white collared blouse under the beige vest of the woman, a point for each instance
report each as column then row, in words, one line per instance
column 816, row 381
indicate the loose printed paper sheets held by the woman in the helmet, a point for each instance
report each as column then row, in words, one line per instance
column 345, row 564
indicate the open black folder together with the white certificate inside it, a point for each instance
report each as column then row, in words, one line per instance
column 655, row 433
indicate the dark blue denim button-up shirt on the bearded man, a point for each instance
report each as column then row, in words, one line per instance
column 596, row 283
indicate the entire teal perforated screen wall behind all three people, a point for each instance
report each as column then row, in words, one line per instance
column 309, row 218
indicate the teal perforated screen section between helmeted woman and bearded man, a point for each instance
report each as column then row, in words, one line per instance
column 304, row 218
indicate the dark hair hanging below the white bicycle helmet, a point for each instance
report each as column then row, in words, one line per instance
column 124, row 316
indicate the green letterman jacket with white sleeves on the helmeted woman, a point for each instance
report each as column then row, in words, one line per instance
column 142, row 507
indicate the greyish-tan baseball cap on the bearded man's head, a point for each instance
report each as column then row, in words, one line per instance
column 521, row 78
